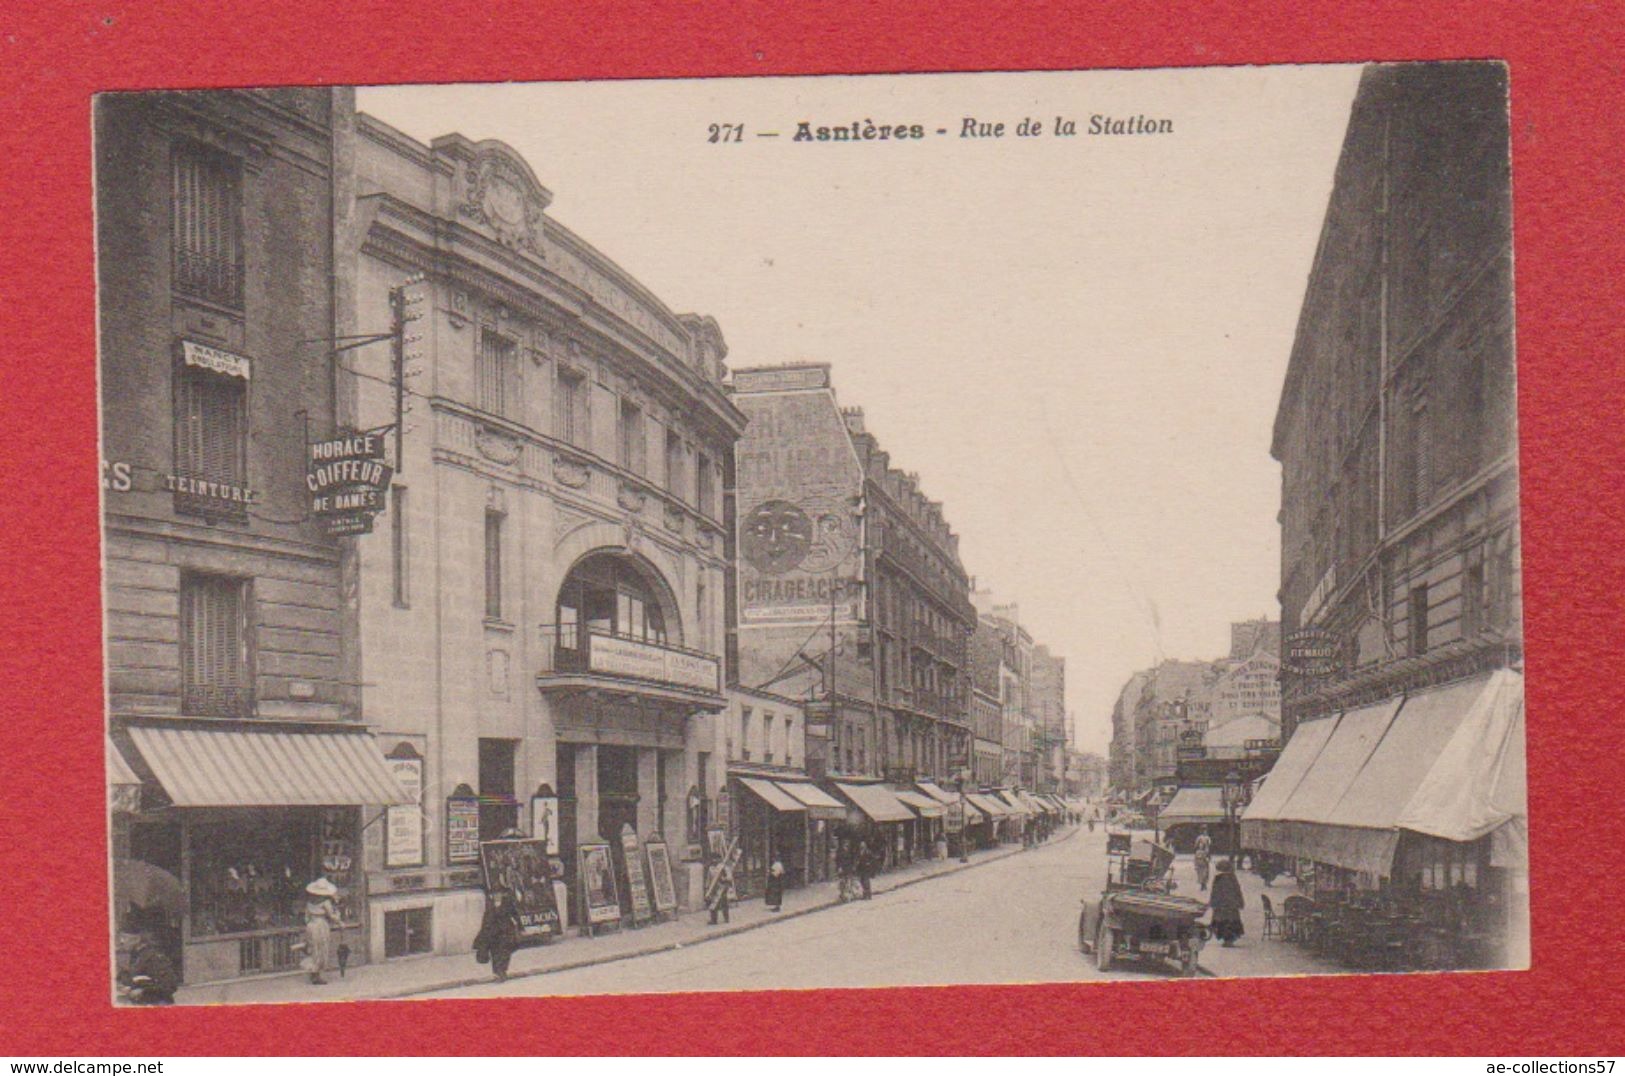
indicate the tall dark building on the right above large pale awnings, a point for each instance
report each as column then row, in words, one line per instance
column 1400, row 578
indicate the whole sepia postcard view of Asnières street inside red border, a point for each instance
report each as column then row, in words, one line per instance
column 1052, row 549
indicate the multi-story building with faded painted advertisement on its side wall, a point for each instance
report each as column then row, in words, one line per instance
column 851, row 591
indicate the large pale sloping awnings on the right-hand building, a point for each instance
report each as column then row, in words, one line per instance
column 1447, row 763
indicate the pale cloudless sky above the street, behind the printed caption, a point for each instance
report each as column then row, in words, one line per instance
column 1078, row 342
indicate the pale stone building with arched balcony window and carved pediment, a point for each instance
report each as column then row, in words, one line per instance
column 542, row 610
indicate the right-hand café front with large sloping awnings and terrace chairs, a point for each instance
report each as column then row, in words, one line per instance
column 1411, row 815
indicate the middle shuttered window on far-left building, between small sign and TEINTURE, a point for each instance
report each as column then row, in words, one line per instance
column 212, row 440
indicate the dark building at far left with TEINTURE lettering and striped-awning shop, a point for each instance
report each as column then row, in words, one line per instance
column 240, row 761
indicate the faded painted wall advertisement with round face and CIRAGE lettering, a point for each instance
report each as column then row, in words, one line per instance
column 800, row 488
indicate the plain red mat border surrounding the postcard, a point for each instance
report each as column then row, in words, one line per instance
column 1567, row 145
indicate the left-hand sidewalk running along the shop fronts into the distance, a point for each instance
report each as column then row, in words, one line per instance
column 402, row 979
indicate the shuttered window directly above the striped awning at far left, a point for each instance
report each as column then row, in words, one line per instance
column 215, row 677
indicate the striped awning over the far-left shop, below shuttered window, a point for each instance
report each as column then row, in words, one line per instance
column 269, row 768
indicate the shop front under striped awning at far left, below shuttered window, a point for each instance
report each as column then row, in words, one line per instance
column 241, row 822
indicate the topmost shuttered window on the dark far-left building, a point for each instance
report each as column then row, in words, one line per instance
column 207, row 225
